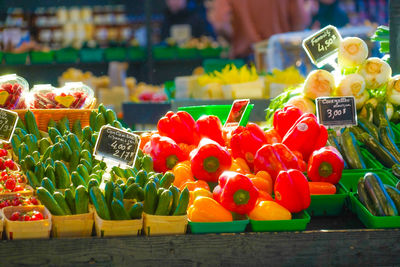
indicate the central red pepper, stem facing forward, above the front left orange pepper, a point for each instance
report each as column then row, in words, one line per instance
column 209, row 160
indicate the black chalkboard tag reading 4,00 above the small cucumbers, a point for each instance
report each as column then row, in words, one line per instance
column 117, row 147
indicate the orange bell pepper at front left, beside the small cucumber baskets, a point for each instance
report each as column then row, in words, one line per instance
column 205, row 209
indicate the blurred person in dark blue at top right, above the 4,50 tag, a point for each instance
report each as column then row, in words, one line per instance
column 328, row 12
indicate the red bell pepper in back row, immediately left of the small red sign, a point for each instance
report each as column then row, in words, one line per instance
column 210, row 127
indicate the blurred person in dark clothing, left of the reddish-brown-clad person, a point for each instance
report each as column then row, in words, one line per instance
column 178, row 13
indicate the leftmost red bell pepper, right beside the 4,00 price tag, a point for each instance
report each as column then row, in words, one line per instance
column 164, row 151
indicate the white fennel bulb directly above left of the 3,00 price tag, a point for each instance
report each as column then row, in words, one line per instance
column 319, row 83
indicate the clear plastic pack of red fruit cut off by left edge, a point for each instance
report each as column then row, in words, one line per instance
column 13, row 90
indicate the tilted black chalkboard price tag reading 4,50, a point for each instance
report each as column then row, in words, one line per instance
column 322, row 47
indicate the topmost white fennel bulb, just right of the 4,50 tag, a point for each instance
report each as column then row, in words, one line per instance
column 352, row 52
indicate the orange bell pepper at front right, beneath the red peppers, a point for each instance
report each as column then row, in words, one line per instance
column 268, row 211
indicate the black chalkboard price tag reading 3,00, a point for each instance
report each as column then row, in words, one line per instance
column 337, row 112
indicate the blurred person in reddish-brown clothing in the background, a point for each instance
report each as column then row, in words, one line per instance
column 245, row 22
